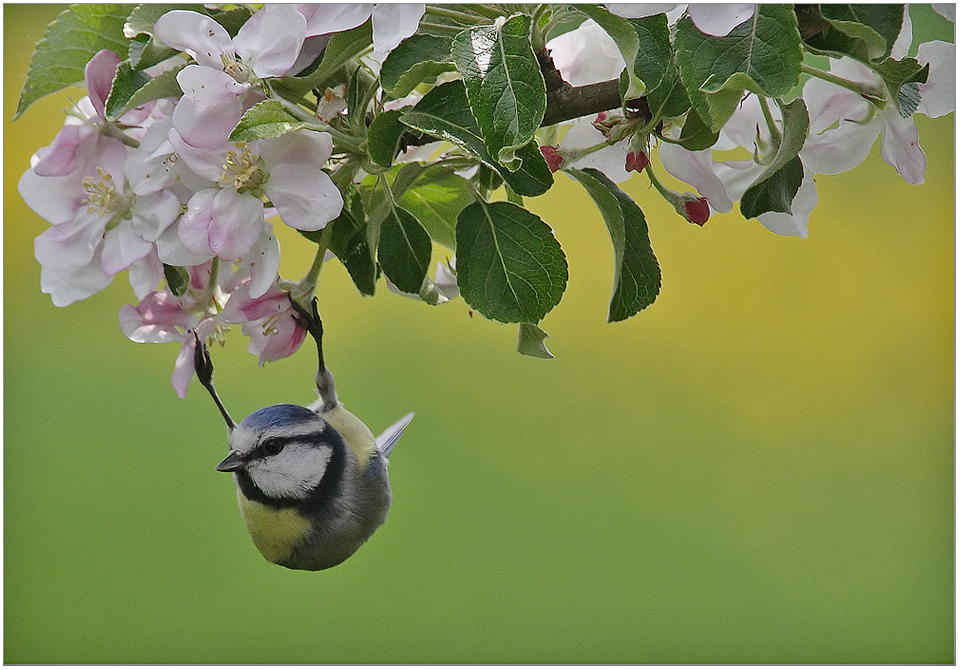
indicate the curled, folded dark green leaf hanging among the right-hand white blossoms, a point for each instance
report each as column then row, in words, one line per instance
column 777, row 186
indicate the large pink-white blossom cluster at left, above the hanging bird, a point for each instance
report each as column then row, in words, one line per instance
column 164, row 187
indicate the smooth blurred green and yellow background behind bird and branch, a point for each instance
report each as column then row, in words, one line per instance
column 757, row 468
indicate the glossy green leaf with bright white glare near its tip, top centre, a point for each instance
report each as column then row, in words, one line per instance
column 504, row 85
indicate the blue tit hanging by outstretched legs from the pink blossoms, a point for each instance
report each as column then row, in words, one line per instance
column 312, row 482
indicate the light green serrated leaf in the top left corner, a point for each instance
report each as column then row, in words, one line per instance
column 69, row 42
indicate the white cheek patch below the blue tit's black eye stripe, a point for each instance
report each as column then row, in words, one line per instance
column 292, row 473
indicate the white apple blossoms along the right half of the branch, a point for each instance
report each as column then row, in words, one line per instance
column 844, row 124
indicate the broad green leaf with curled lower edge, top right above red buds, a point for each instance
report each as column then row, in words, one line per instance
column 762, row 55
